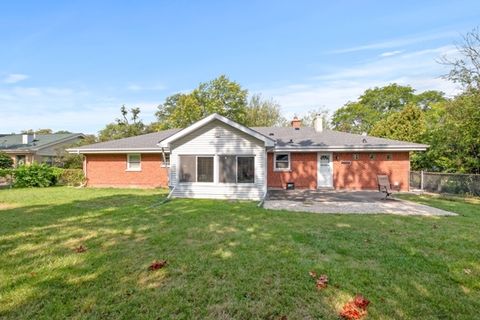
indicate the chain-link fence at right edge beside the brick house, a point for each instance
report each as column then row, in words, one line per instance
column 454, row 183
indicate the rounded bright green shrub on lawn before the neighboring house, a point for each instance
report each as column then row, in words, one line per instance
column 35, row 175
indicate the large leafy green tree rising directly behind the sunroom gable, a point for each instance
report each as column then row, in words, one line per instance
column 219, row 95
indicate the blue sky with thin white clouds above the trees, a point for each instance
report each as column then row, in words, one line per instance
column 72, row 64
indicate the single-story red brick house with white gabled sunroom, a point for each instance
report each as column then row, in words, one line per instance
column 219, row 158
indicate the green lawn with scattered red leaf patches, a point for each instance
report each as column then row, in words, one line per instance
column 228, row 260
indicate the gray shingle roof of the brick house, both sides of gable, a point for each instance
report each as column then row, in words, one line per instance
column 305, row 137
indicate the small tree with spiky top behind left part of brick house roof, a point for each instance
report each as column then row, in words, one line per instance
column 125, row 126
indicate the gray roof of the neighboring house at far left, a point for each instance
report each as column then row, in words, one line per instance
column 14, row 142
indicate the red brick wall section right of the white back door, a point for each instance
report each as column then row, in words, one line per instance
column 362, row 173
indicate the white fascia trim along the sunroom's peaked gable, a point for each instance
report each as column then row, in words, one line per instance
column 166, row 142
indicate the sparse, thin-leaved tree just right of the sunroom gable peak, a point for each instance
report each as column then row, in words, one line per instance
column 263, row 113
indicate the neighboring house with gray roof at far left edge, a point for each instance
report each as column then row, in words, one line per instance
column 41, row 148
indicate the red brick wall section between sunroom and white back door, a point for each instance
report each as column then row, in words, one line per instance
column 303, row 171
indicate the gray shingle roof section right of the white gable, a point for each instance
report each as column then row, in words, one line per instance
column 307, row 137
